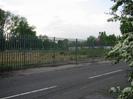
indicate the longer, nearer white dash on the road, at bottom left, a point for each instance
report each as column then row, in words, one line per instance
column 29, row 92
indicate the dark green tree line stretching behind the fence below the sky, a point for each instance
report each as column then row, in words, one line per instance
column 16, row 33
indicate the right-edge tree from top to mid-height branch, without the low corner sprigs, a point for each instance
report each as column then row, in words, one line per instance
column 126, row 20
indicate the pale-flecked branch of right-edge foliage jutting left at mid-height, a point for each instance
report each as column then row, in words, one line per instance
column 123, row 50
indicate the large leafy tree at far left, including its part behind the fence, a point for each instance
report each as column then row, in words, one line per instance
column 15, row 30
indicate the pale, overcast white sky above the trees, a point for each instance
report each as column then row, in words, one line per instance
column 65, row 18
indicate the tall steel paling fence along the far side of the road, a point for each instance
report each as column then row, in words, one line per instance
column 17, row 52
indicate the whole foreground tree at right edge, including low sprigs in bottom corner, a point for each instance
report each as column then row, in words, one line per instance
column 124, row 49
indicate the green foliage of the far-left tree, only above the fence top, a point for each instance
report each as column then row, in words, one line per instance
column 14, row 25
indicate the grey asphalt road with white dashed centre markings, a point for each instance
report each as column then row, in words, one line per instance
column 84, row 81
